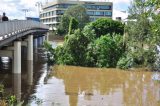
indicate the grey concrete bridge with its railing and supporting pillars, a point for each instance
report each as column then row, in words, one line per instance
column 17, row 33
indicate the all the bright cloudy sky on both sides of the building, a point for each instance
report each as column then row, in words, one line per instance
column 13, row 8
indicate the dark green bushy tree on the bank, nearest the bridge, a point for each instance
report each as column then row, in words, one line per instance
column 73, row 50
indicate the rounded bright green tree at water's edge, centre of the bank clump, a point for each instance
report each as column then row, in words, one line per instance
column 105, row 51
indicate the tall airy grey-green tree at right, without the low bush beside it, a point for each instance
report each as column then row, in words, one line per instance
column 140, row 43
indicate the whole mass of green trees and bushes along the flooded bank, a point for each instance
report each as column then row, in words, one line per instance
column 109, row 43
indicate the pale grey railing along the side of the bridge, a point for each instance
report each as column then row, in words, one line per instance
column 9, row 28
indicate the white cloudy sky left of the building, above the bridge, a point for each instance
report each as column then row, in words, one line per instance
column 13, row 8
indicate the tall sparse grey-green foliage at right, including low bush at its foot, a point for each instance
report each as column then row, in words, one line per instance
column 142, row 38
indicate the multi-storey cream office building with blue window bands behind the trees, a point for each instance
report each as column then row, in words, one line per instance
column 52, row 11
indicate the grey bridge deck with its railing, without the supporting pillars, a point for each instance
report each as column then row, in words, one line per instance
column 11, row 30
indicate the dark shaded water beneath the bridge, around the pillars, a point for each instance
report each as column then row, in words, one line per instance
column 25, row 84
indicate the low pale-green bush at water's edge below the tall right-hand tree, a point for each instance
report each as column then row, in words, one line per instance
column 146, row 58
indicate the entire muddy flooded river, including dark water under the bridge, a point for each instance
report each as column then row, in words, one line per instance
column 79, row 86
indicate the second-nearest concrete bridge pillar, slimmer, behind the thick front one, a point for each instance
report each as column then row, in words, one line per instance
column 30, row 48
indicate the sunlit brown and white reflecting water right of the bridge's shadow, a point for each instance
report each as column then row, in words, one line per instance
column 77, row 86
